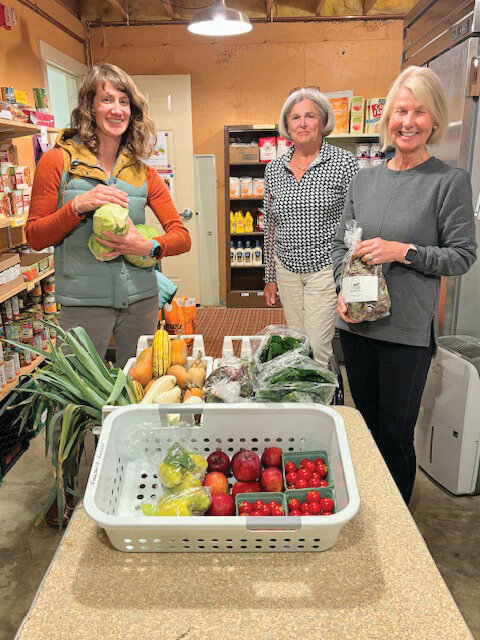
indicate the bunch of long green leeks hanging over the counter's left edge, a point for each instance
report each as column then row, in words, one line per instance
column 70, row 390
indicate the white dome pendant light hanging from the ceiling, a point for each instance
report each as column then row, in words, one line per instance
column 220, row 20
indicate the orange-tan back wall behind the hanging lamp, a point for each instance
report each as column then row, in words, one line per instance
column 244, row 80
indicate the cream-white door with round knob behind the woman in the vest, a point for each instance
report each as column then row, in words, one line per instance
column 170, row 104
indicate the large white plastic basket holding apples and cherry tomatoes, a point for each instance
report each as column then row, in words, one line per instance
column 121, row 477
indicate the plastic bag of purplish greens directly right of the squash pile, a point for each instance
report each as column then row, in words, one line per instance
column 231, row 381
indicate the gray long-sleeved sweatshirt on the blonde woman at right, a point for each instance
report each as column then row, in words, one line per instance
column 429, row 206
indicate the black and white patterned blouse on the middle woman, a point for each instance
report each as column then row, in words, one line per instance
column 301, row 217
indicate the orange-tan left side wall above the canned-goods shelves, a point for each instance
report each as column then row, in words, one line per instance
column 20, row 61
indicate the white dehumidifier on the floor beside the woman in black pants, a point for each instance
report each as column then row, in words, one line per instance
column 448, row 428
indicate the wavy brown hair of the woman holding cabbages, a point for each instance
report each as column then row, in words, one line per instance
column 137, row 141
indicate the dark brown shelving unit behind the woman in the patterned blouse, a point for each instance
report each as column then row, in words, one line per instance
column 245, row 283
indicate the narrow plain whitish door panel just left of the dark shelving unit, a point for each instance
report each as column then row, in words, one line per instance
column 207, row 216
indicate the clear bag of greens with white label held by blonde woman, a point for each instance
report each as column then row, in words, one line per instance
column 364, row 289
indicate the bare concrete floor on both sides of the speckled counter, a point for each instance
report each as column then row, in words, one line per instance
column 449, row 525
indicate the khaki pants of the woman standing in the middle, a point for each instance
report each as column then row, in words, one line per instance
column 309, row 302
